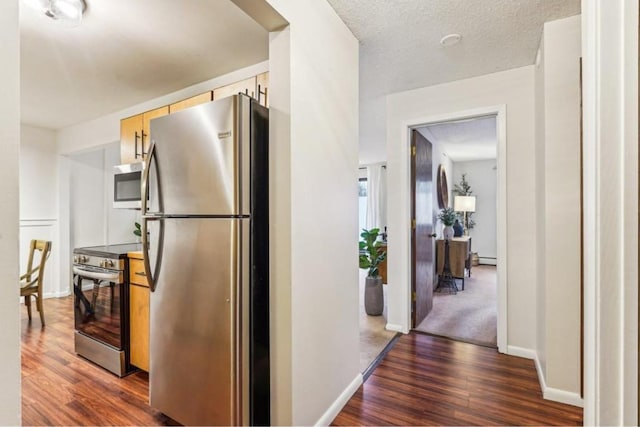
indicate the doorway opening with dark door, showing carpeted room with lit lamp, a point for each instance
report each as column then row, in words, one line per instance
column 454, row 279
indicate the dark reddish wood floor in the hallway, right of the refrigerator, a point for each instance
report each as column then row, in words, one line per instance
column 426, row 380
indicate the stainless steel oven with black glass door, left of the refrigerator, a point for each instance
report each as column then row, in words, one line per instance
column 101, row 308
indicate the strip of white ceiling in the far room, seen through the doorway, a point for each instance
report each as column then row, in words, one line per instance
column 465, row 140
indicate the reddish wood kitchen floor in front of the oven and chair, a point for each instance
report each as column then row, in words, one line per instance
column 61, row 388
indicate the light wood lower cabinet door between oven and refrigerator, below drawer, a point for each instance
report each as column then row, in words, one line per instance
column 139, row 326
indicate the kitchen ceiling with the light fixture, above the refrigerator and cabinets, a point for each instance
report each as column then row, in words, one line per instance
column 127, row 52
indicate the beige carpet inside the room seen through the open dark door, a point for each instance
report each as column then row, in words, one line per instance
column 469, row 315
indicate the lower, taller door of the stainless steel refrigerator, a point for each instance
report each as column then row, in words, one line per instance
column 199, row 330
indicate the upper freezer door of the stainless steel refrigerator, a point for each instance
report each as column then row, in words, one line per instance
column 201, row 158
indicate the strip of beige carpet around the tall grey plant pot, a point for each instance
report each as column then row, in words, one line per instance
column 373, row 336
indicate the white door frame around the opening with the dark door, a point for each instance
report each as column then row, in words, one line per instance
column 500, row 111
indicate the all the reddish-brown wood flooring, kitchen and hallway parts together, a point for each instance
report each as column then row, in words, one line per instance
column 423, row 380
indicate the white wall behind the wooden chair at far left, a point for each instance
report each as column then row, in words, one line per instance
column 39, row 202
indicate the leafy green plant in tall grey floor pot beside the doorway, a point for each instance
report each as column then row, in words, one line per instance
column 370, row 258
